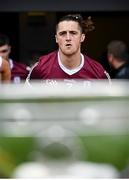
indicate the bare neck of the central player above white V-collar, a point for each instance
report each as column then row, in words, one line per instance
column 71, row 61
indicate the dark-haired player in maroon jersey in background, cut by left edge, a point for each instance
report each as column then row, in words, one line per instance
column 19, row 71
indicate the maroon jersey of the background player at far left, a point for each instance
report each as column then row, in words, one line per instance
column 19, row 71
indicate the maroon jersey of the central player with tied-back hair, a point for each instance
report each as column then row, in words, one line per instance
column 48, row 68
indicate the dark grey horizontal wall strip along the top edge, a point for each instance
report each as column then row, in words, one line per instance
column 64, row 5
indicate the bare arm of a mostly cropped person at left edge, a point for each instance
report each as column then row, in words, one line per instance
column 5, row 72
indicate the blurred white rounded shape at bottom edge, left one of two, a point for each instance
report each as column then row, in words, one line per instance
column 31, row 170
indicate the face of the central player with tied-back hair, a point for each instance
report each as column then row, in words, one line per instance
column 69, row 37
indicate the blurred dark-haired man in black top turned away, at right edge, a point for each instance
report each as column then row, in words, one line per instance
column 118, row 58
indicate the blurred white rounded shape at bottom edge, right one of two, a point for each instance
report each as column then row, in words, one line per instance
column 92, row 170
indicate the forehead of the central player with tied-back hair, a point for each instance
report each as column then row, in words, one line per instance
column 68, row 26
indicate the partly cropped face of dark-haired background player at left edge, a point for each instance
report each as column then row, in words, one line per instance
column 5, row 51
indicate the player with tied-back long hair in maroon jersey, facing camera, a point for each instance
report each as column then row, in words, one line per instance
column 68, row 62
